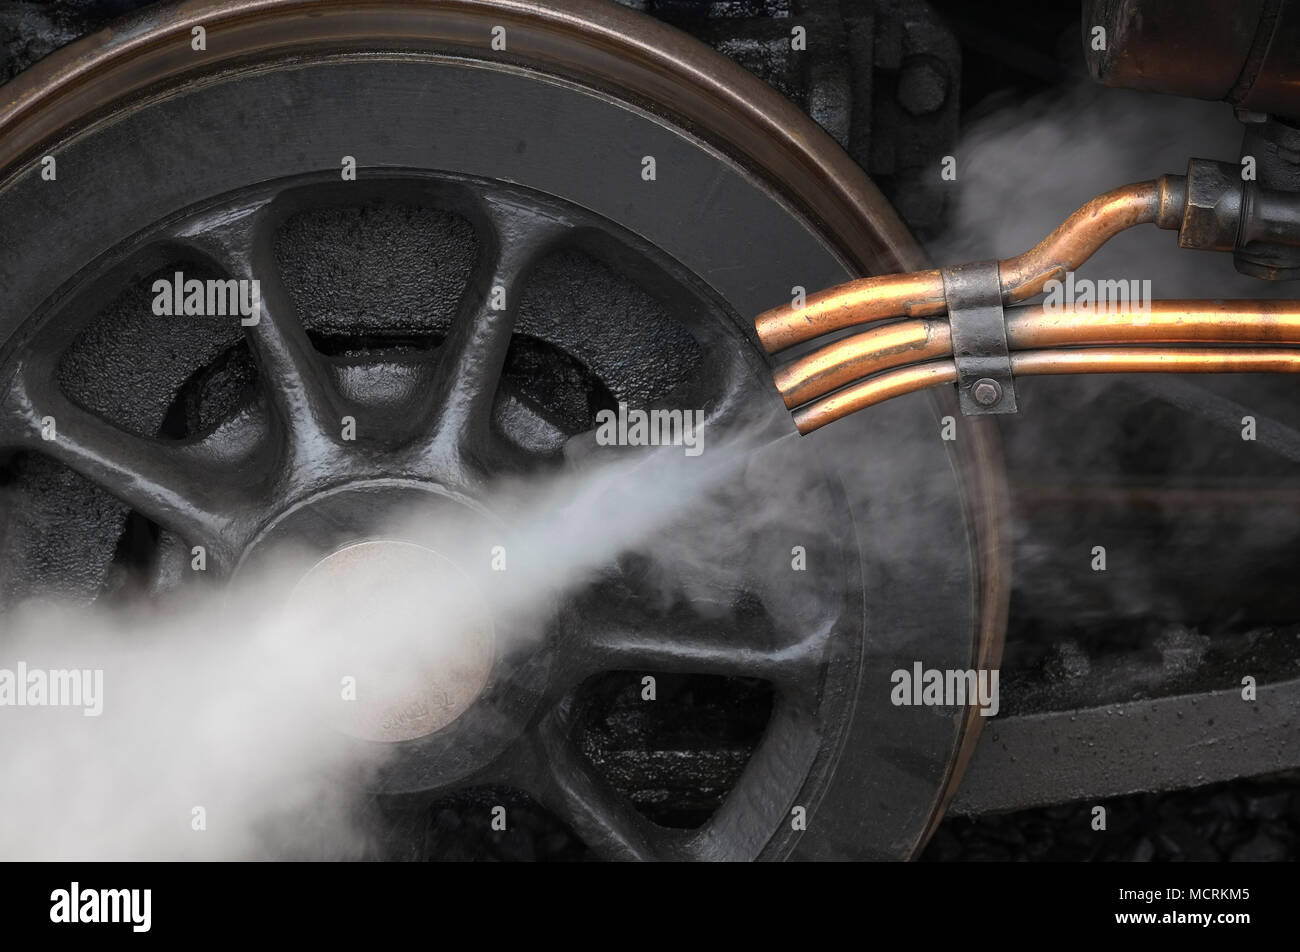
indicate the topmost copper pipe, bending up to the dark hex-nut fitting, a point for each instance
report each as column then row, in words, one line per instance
column 921, row 295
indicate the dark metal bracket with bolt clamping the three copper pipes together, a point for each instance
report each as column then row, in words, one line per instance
column 985, row 383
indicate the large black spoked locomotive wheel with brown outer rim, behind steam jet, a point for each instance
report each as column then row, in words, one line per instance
column 556, row 211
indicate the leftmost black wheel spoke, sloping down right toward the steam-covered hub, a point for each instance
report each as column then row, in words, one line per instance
column 149, row 475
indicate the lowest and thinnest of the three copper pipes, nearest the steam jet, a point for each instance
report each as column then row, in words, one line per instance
column 1047, row 362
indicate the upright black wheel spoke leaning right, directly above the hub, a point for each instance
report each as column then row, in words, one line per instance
column 474, row 356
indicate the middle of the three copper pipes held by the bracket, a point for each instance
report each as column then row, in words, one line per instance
column 1029, row 328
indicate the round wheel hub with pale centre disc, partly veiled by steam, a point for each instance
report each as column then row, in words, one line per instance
column 393, row 604
